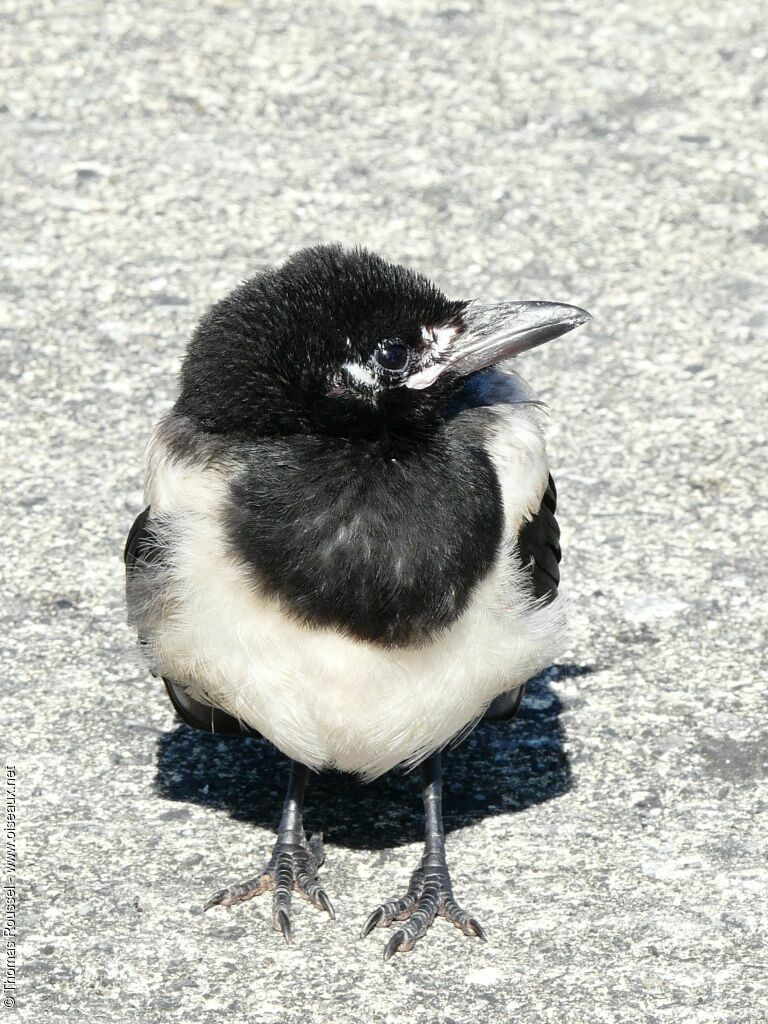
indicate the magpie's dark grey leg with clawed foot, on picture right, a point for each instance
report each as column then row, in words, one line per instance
column 431, row 892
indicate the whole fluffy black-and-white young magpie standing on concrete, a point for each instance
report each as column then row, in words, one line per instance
column 350, row 545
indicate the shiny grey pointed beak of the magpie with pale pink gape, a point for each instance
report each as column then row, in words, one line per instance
column 487, row 334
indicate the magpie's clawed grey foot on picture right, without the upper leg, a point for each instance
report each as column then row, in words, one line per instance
column 430, row 894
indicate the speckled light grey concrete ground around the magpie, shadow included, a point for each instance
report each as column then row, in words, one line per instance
column 609, row 155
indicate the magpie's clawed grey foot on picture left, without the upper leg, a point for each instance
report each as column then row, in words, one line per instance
column 292, row 867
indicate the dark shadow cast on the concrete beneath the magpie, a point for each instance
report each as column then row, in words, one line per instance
column 501, row 767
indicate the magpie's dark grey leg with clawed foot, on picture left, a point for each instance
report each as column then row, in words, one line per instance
column 294, row 864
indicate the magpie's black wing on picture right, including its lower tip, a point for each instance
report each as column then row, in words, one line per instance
column 539, row 545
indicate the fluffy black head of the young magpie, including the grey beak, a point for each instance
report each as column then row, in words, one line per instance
column 340, row 342
